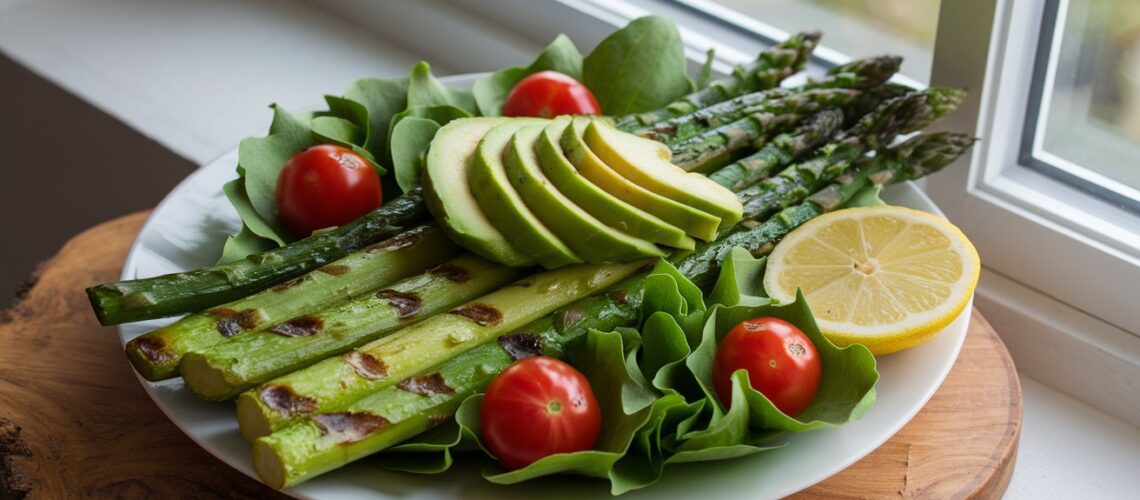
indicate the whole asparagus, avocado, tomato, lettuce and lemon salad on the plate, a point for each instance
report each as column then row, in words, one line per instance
column 593, row 266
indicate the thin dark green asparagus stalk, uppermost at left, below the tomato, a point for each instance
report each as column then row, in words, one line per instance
column 196, row 291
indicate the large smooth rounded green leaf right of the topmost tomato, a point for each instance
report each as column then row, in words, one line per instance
column 638, row 69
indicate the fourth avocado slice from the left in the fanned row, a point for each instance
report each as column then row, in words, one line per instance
column 596, row 201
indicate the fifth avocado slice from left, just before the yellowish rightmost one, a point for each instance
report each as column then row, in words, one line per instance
column 695, row 223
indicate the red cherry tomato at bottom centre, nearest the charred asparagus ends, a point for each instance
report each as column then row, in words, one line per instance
column 538, row 407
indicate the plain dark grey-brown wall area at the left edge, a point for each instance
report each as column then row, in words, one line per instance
column 66, row 167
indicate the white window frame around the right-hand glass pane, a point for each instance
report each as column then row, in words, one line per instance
column 1013, row 214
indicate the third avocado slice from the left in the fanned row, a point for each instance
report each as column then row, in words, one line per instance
column 587, row 236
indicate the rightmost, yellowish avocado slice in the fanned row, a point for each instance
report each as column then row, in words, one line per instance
column 647, row 163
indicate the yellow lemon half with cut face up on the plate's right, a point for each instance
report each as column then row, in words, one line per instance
column 885, row 277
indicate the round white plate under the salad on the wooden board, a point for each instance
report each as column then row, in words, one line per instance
column 190, row 226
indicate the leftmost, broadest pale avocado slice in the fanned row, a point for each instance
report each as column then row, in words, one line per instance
column 450, row 199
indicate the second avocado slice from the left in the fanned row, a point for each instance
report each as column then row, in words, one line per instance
column 503, row 206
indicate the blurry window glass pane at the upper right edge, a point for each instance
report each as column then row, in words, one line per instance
column 1088, row 118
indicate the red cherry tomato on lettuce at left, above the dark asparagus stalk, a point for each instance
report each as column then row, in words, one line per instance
column 325, row 186
